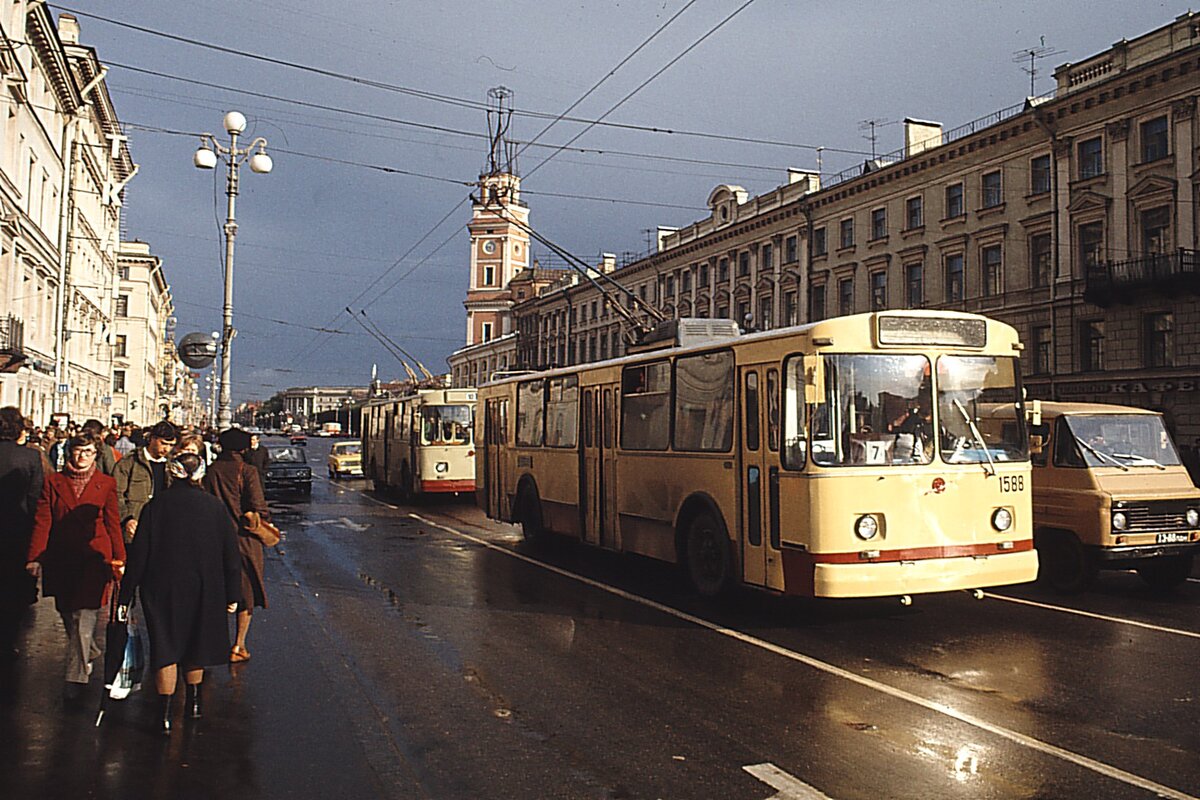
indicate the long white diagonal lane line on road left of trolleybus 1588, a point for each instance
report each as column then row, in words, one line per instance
column 1016, row 737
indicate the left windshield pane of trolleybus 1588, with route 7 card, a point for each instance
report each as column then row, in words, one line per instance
column 878, row 411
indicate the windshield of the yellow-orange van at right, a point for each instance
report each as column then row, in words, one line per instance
column 1123, row 441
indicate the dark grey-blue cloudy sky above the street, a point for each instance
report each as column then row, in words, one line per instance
column 317, row 232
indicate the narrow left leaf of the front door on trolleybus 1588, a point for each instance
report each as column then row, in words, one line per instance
column 754, row 479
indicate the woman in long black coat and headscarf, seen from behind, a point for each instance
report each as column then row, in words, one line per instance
column 185, row 562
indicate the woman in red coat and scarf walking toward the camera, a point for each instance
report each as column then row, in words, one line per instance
column 77, row 550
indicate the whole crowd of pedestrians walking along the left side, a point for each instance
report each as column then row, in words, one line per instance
column 163, row 522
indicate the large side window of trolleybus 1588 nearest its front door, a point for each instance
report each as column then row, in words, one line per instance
column 704, row 402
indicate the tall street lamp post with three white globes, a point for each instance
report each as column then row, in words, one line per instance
column 207, row 158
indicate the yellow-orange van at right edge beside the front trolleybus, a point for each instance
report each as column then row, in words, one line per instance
column 1111, row 492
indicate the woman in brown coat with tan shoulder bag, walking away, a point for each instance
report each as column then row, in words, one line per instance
column 236, row 484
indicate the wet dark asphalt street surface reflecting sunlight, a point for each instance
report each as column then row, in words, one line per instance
column 424, row 653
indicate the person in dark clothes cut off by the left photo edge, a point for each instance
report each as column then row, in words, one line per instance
column 21, row 485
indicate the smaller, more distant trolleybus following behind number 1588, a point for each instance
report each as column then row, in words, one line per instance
column 421, row 444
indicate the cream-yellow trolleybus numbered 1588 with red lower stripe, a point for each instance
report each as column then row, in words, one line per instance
column 875, row 455
